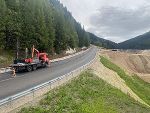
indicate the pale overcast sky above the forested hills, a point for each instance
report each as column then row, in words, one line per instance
column 115, row 20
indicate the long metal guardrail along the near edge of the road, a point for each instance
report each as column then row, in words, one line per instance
column 49, row 83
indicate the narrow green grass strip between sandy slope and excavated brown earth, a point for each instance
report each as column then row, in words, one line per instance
column 139, row 86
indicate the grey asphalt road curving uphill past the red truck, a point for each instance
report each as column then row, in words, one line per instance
column 10, row 86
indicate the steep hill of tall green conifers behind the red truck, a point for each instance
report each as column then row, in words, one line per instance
column 45, row 23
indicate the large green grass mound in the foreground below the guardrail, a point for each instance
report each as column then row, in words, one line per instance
column 87, row 94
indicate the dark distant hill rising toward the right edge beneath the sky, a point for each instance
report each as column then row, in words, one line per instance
column 139, row 42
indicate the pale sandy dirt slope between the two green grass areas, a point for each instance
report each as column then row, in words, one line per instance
column 113, row 78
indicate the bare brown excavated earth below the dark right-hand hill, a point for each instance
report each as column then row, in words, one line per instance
column 133, row 62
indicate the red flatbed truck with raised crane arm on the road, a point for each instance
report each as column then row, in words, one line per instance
column 31, row 64
